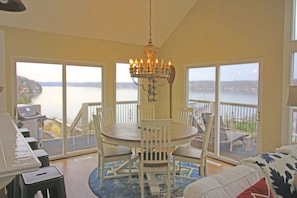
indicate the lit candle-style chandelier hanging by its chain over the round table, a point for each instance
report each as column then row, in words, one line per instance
column 149, row 67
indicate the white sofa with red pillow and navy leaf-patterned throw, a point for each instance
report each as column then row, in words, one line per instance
column 270, row 174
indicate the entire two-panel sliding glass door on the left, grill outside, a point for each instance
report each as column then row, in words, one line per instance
column 65, row 97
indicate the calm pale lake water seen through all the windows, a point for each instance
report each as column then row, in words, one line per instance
column 51, row 99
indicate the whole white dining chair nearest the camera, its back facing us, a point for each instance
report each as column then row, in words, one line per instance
column 154, row 156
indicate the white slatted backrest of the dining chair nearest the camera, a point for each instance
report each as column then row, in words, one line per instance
column 155, row 141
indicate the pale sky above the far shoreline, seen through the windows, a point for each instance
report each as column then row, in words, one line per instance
column 53, row 72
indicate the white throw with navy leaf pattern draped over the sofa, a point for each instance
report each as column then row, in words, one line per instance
column 279, row 169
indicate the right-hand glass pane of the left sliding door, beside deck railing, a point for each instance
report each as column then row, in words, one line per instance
column 84, row 95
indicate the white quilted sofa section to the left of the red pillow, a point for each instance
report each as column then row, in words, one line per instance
column 228, row 183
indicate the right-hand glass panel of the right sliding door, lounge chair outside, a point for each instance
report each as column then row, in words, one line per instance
column 238, row 110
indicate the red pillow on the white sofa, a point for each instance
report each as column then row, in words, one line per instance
column 259, row 189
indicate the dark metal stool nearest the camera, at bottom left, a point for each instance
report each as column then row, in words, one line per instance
column 45, row 178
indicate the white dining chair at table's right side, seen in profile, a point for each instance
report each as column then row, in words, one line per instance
column 194, row 155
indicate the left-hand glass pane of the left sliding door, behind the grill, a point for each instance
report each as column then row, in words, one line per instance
column 40, row 85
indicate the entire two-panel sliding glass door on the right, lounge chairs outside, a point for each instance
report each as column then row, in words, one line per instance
column 231, row 92
